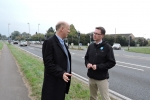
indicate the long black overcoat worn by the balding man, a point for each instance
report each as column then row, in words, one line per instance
column 55, row 65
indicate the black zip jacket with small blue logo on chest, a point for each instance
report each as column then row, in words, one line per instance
column 103, row 57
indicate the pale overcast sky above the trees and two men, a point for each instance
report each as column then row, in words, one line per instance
column 127, row 16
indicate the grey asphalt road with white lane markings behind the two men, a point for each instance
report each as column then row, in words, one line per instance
column 130, row 77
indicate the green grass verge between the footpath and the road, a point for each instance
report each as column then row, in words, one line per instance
column 32, row 69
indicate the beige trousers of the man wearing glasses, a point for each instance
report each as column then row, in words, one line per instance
column 102, row 86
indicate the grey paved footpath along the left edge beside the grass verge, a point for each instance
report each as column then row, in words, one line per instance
column 12, row 86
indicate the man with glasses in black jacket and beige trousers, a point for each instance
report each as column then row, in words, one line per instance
column 99, row 59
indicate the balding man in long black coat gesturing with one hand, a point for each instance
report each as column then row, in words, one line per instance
column 57, row 62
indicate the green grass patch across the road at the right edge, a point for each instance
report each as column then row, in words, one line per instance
column 145, row 50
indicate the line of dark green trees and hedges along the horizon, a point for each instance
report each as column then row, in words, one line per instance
column 73, row 37
